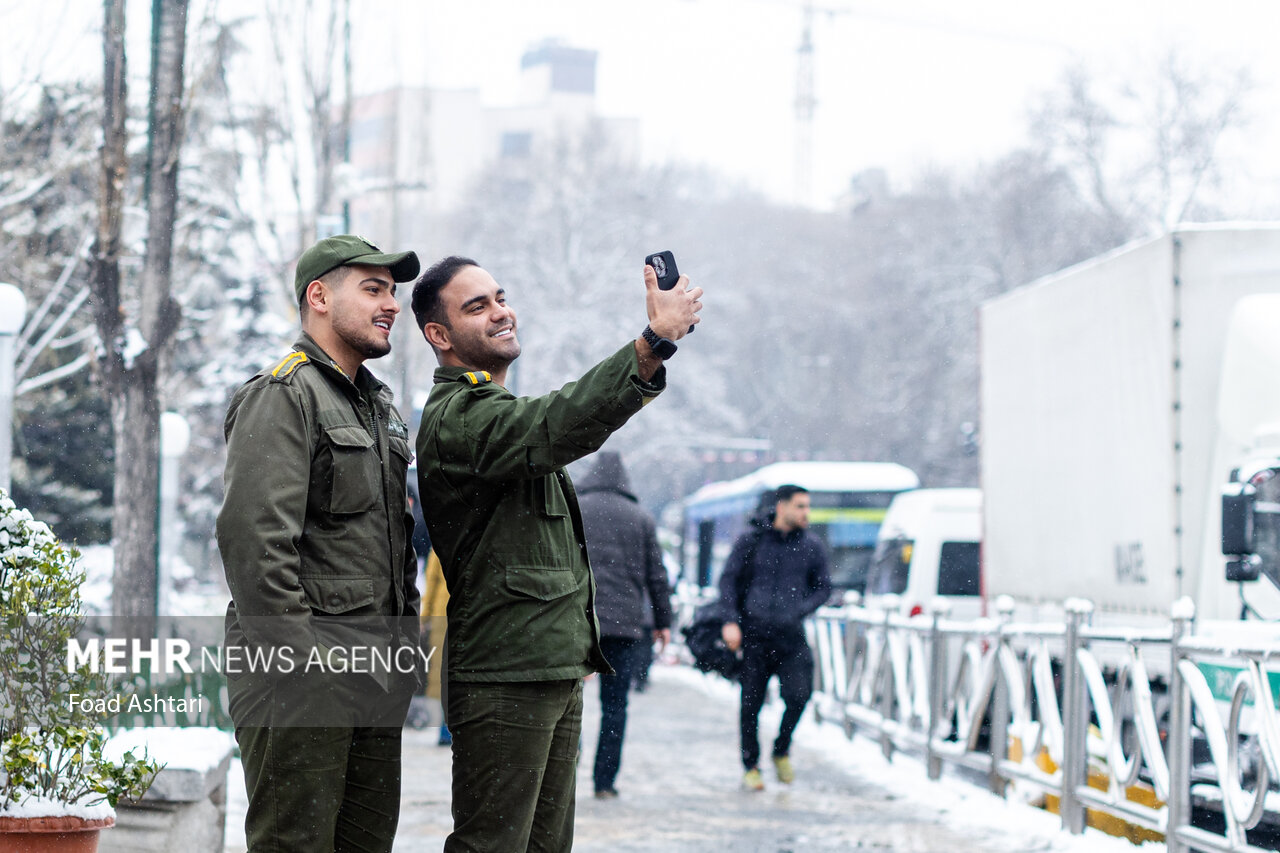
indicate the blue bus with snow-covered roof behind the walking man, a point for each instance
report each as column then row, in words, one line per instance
column 849, row 501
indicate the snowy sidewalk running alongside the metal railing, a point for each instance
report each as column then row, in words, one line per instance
column 680, row 791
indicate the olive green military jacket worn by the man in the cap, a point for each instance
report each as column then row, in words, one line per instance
column 316, row 530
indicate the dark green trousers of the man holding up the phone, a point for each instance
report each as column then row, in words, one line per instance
column 515, row 765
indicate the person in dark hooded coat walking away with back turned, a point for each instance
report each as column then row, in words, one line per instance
column 624, row 551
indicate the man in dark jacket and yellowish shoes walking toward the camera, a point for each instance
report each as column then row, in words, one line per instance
column 774, row 580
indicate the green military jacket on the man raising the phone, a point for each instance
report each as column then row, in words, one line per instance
column 505, row 521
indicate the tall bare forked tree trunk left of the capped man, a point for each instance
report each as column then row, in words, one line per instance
column 136, row 326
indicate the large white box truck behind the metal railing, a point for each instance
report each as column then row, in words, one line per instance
column 1118, row 399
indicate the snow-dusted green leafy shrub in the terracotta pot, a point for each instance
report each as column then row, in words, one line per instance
column 52, row 746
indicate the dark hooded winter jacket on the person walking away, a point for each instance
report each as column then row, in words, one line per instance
column 623, row 548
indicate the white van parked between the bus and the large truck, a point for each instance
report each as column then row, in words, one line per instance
column 930, row 546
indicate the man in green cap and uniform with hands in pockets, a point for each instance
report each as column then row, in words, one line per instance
column 314, row 535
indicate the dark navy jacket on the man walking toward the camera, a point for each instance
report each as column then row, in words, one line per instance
column 789, row 580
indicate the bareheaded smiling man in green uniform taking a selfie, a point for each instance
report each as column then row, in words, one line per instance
column 506, row 524
